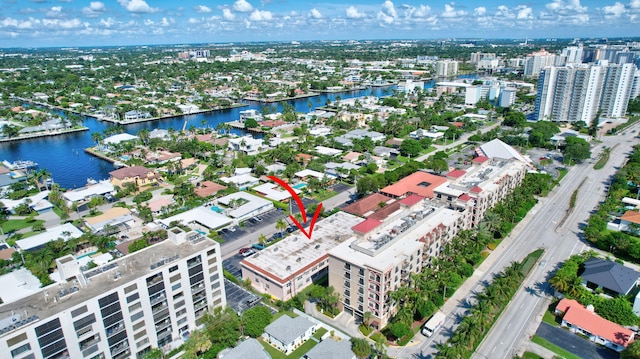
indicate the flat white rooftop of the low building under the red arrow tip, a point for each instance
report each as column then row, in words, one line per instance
column 294, row 253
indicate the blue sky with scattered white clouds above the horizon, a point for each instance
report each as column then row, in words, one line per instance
column 37, row 23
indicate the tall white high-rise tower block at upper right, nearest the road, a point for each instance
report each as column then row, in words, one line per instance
column 577, row 93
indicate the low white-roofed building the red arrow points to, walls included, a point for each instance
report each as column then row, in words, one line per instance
column 287, row 267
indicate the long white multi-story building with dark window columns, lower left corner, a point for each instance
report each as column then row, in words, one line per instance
column 121, row 309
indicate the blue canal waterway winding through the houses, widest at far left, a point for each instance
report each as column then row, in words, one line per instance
column 64, row 156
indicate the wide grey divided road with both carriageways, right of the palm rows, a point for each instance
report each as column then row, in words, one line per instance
column 541, row 228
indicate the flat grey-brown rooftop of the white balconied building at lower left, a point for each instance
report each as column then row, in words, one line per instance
column 105, row 279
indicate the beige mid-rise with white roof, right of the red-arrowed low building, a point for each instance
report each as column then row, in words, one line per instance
column 382, row 255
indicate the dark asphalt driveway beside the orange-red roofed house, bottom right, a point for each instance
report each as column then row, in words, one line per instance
column 574, row 343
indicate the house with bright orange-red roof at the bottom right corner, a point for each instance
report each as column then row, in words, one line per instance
column 599, row 330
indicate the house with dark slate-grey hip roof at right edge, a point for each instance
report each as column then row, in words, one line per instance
column 614, row 278
